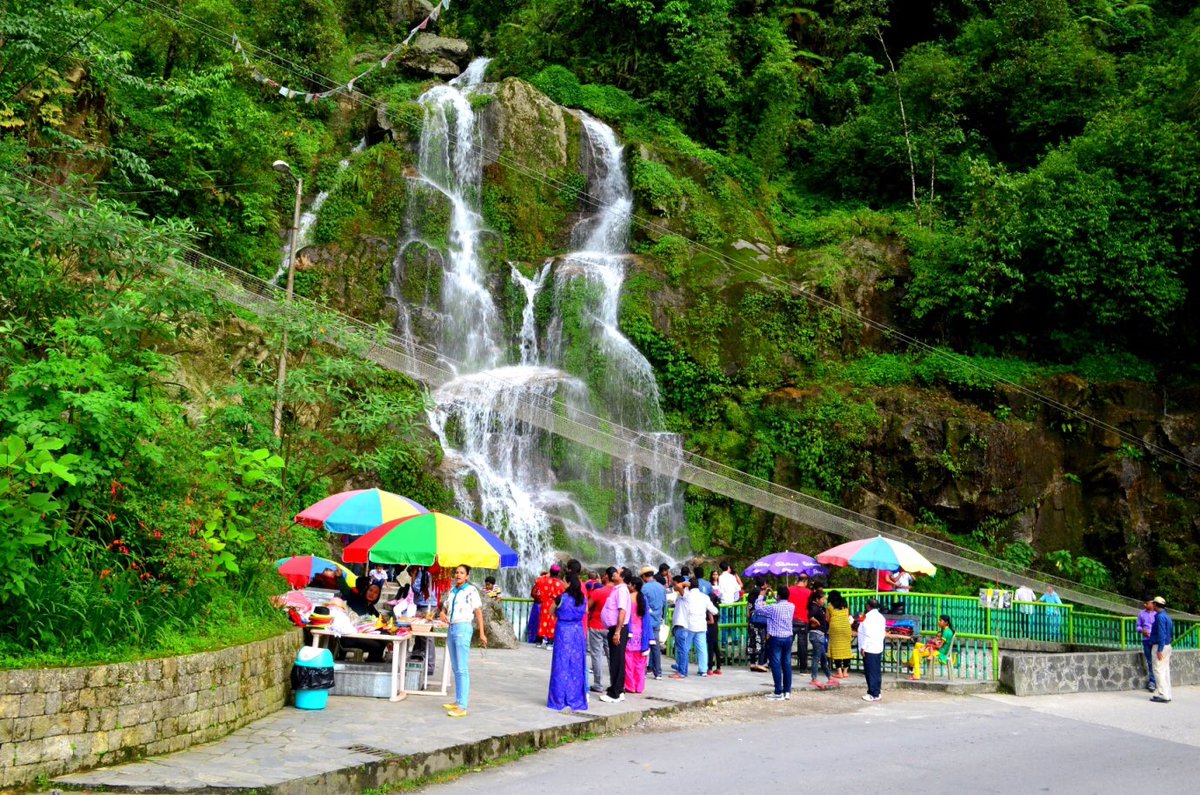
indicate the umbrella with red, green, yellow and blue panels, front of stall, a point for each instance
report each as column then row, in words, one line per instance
column 429, row 539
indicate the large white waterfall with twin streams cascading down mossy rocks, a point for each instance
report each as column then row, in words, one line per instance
column 538, row 493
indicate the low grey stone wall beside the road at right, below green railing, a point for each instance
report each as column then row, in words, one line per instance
column 1034, row 674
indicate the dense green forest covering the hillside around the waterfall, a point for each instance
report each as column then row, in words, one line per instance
column 1013, row 181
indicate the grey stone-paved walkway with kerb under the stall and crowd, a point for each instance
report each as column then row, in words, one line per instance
column 357, row 743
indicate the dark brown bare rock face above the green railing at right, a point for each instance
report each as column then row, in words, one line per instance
column 1046, row 477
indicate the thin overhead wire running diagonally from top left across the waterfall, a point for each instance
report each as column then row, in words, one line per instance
column 735, row 265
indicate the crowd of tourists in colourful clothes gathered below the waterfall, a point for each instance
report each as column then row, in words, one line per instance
column 607, row 631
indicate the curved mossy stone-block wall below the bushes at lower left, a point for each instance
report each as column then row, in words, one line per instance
column 61, row 720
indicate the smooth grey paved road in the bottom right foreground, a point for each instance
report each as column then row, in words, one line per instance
column 1112, row 743
